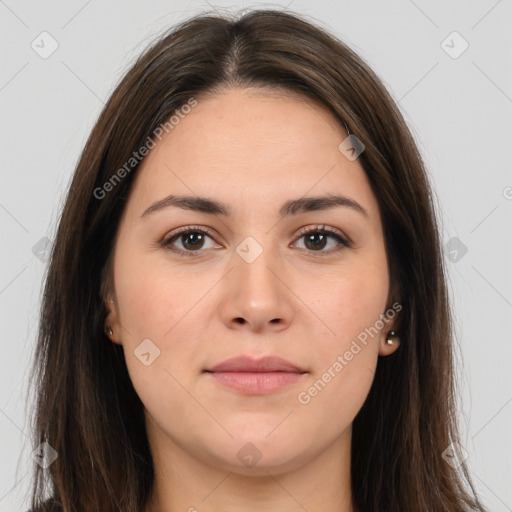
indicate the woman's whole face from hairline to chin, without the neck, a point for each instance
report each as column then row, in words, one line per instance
column 307, row 283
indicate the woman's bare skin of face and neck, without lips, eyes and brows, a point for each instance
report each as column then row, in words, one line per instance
column 252, row 150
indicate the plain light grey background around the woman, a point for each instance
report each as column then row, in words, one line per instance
column 458, row 107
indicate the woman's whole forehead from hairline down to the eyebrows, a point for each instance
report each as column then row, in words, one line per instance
column 255, row 144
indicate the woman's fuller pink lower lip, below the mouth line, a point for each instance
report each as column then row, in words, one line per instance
column 256, row 383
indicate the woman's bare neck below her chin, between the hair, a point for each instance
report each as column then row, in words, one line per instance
column 184, row 483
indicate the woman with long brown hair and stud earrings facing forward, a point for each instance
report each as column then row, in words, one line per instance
column 246, row 308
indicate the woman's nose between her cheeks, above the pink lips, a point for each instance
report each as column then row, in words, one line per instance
column 255, row 295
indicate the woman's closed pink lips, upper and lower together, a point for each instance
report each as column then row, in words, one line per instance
column 256, row 376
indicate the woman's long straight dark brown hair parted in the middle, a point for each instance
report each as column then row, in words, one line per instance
column 87, row 409
